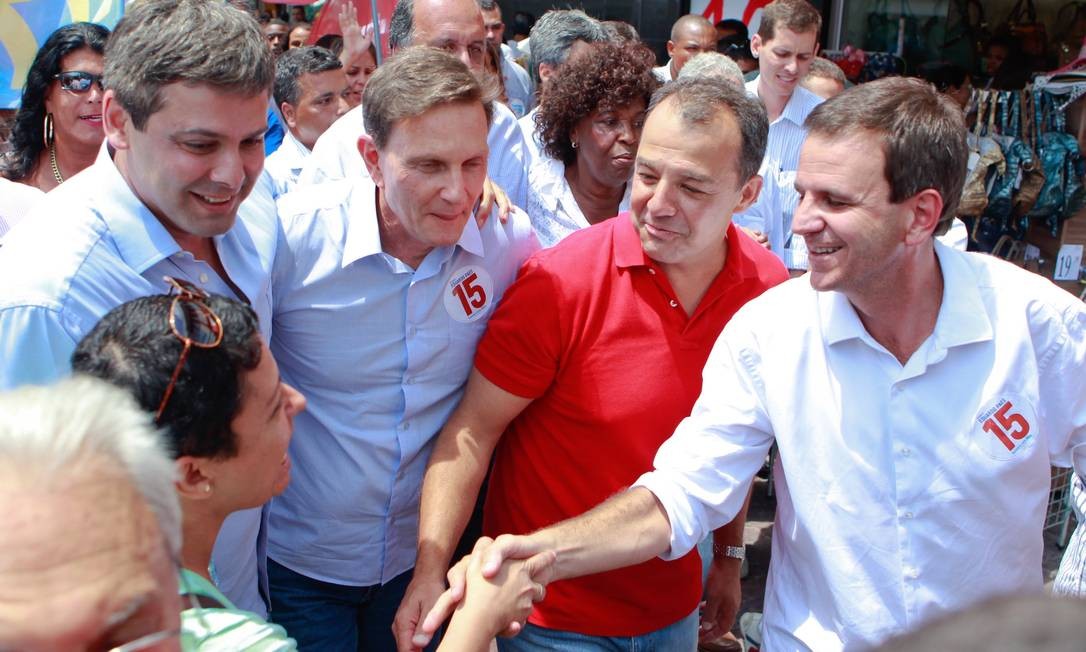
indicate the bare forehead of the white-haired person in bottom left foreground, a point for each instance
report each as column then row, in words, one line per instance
column 87, row 549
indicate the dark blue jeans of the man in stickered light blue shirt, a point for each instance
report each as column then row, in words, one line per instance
column 330, row 618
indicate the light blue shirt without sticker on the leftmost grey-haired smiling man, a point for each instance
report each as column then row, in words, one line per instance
column 92, row 245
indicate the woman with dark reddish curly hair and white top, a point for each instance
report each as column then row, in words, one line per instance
column 590, row 126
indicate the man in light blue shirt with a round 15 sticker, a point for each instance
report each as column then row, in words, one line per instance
column 384, row 286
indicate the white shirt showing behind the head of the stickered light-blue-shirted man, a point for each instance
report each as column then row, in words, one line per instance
column 336, row 154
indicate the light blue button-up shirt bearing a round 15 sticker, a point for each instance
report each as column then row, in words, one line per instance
column 382, row 353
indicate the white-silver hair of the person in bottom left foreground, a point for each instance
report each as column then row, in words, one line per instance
column 50, row 433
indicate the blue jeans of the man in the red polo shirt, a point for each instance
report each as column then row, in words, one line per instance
column 678, row 637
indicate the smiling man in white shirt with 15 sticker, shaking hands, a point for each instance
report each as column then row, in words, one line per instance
column 918, row 397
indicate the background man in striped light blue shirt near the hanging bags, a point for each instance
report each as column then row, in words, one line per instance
column 786, row 45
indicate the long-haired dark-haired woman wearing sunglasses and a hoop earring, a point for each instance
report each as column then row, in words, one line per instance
column 58, row 130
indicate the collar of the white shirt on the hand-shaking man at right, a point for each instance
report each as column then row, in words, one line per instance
column 963, row 318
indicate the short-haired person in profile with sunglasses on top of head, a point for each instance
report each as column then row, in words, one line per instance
column 200, row 367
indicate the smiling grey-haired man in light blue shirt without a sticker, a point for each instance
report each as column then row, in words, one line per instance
column 172, row 193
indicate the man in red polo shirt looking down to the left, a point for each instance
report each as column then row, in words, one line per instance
column 591, row 361
